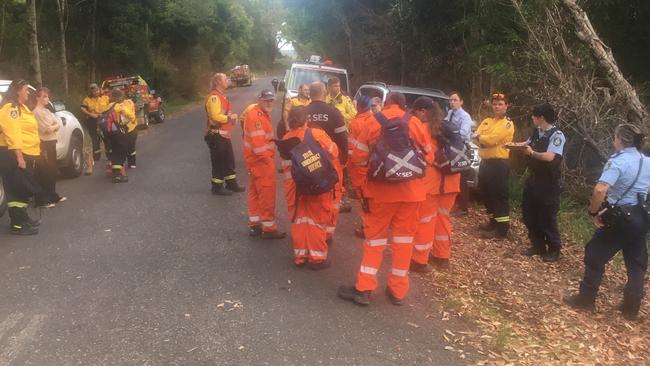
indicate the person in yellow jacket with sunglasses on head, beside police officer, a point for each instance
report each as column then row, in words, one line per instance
column 491, row 136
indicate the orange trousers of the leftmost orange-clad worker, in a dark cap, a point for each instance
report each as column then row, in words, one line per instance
column 261, row 196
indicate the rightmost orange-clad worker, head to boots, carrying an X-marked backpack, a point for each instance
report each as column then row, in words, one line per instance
column 432, row 239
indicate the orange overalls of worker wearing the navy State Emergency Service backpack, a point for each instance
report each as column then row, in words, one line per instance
column 310, row 214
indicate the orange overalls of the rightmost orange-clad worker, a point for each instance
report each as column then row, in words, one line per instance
column 434, row 231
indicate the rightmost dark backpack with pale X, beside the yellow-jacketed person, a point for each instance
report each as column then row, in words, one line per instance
column 454, row 154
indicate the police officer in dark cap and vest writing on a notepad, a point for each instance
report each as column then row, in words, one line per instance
column 541, row 197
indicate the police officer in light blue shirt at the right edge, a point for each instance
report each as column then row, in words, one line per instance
column 618, row 210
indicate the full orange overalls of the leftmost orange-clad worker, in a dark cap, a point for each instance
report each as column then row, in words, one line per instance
column 258, row 154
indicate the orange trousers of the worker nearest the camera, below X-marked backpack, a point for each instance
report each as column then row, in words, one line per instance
column 400, row 218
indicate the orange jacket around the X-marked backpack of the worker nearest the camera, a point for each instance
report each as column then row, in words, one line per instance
column 409, row 191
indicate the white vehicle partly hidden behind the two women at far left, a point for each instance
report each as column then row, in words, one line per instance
column 69, row 145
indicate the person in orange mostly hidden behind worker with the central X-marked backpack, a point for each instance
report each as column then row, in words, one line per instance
column 357, row 168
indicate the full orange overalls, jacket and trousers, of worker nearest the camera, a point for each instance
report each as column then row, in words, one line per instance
column 393, row 208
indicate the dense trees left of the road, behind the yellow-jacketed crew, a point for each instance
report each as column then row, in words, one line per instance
column 174, row 43
